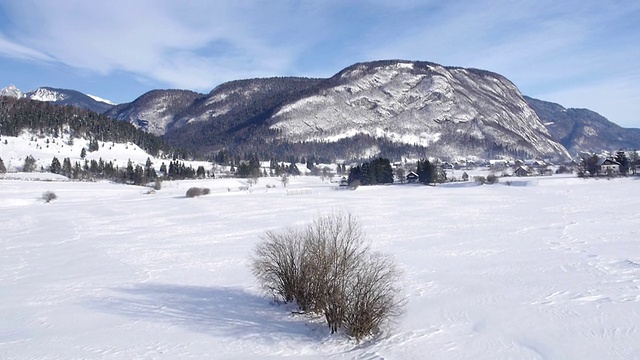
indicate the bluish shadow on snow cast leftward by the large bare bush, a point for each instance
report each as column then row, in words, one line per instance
column 220, row 311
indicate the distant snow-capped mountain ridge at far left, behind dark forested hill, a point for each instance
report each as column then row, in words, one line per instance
column 60, row 97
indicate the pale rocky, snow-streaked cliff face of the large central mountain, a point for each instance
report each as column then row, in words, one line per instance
column 446, row 109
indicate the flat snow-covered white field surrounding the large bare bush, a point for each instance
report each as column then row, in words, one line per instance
column 548, row 268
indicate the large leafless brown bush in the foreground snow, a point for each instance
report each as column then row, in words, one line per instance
column 326, row 268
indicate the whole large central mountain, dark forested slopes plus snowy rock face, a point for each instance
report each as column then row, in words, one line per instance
column 401, row 107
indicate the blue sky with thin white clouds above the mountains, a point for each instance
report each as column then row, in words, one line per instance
column 583, row 54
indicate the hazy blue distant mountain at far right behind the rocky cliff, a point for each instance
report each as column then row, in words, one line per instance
column 583, row 130
